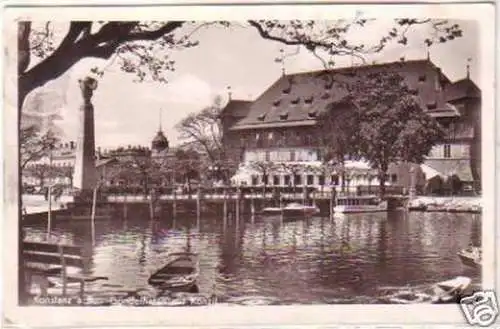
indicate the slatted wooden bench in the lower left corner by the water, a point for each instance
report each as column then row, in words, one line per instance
column 47, row 260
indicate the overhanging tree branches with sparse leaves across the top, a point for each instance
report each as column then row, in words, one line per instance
column 144, row 48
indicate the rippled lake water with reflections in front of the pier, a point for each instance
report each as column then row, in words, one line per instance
column 347, row 259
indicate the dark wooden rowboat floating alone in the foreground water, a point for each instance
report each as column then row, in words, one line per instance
column 180, row 273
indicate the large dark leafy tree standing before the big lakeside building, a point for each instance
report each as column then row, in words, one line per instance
column 392, row 126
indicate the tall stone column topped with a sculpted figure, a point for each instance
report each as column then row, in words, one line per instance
column 85, row 173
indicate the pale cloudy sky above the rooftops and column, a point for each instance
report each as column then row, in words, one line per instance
column 127, row 112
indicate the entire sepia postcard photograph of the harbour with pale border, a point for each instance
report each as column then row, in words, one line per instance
column 219, row 161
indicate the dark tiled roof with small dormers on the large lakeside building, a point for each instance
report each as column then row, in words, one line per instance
column 295, row 97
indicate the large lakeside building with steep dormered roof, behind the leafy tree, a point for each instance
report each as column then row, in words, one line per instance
column 280, row 126
